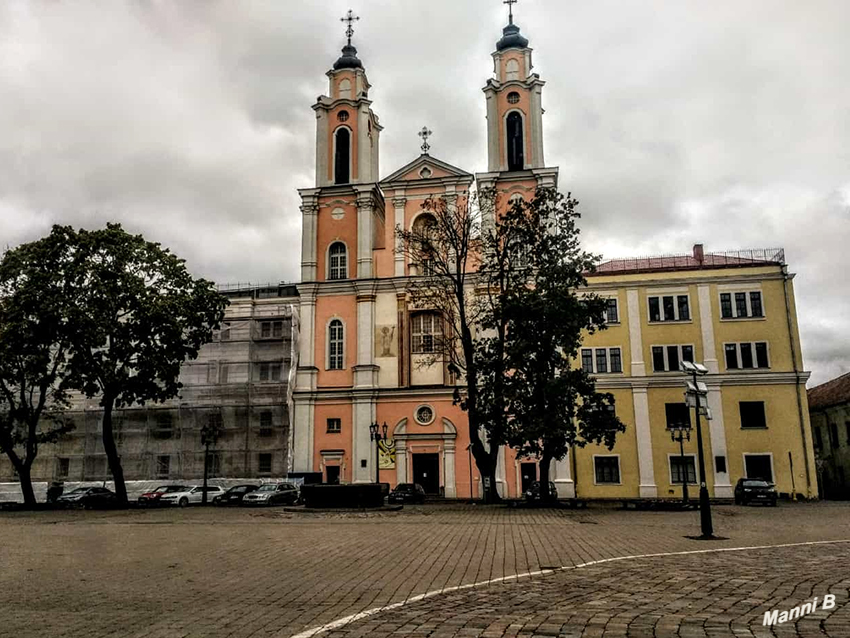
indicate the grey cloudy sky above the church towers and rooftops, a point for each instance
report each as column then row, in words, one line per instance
column 674, row 122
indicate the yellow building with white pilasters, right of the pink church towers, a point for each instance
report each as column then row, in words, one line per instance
column 733, row 312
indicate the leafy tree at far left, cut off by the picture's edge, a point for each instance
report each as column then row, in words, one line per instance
column 35, row 336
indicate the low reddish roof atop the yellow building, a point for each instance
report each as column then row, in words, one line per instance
column 696, row 261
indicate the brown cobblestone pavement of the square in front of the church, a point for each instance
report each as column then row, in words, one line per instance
column 242, row 573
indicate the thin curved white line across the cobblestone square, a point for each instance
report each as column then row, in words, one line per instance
column 315, row 631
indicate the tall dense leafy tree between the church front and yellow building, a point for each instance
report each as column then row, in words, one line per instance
column 551, row 404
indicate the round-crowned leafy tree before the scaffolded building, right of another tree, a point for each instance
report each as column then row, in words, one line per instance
column 139, row 314
